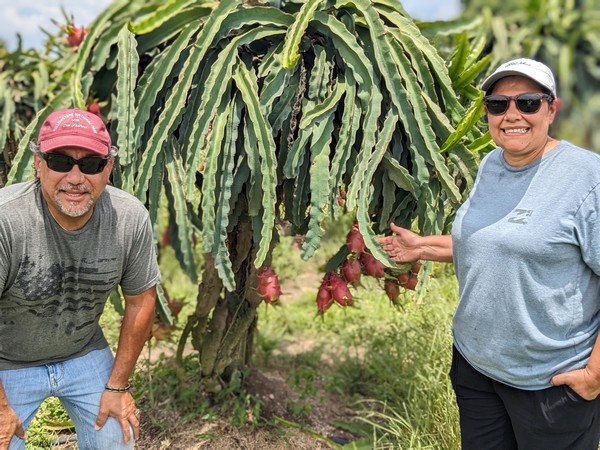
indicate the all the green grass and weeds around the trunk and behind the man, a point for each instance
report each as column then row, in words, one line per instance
column 389, row 361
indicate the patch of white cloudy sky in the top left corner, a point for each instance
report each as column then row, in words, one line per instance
column 27, row 16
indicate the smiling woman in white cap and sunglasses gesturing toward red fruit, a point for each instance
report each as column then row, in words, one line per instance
column 526, row 250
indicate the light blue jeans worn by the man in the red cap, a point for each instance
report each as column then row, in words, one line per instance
column 78, row 383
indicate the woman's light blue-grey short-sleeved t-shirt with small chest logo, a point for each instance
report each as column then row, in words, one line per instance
column 526, row 248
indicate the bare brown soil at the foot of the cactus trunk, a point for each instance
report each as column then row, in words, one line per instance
column 283, row 432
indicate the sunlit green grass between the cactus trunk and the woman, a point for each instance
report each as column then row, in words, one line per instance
column 393, row 359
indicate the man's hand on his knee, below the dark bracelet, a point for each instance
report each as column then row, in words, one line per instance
column 121, row 406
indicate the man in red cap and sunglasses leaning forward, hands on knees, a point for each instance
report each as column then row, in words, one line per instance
column 66, row 241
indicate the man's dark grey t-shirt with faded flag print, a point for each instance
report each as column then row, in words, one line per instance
column 54, row 283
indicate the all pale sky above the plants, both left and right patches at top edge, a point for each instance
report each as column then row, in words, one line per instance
column 28, row 16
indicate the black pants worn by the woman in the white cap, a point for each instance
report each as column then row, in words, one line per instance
column 494, row 416
